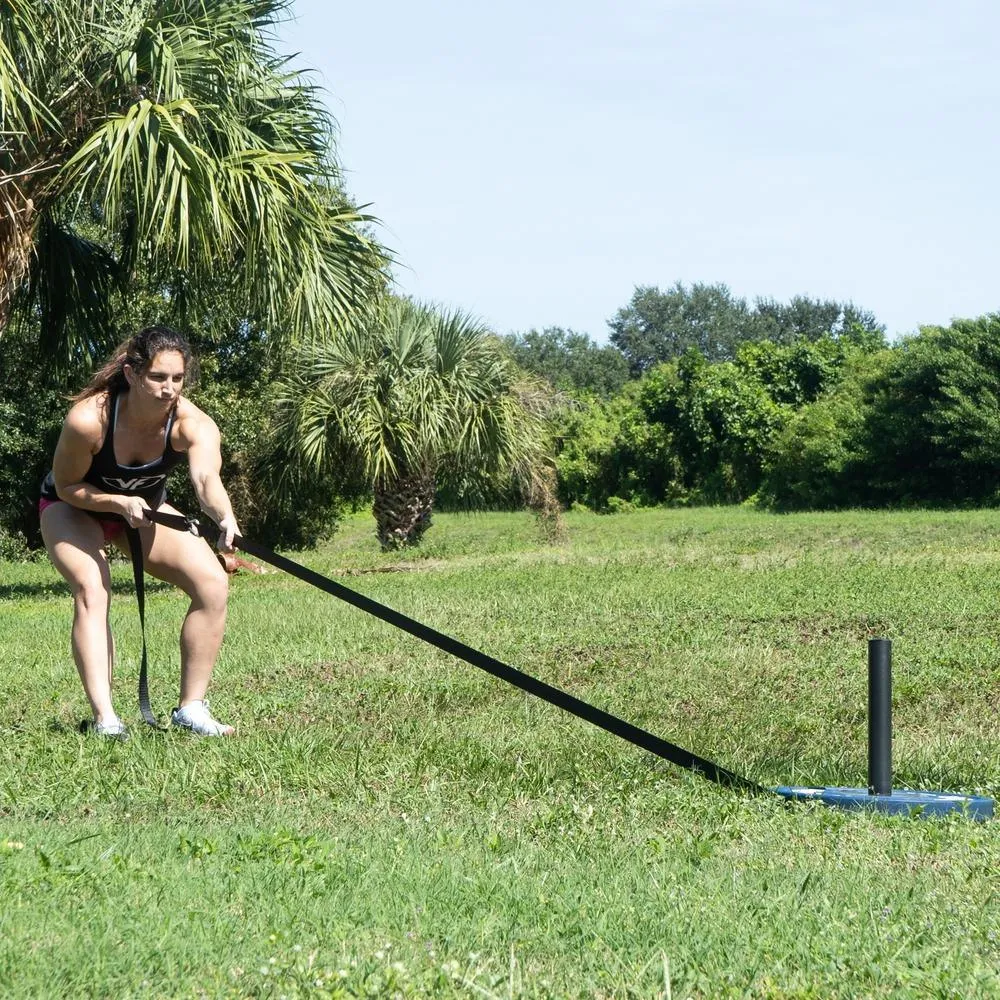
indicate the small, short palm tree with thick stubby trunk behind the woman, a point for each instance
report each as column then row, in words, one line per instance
column 423, row 395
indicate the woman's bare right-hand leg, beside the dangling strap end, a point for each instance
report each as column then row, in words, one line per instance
column 188, row 562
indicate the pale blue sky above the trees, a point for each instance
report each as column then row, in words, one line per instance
column 532, row 162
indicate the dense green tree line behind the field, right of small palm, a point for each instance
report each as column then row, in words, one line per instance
column 804, row 405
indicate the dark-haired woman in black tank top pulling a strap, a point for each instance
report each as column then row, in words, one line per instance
column 127, row 428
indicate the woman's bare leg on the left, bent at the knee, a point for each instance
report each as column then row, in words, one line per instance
column 74, row 542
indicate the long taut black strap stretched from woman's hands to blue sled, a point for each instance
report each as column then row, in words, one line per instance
column 554, row 696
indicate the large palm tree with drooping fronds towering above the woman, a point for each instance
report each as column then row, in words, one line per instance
column 175, row 129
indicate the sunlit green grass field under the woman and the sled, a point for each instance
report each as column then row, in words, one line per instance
column 393, row 822
